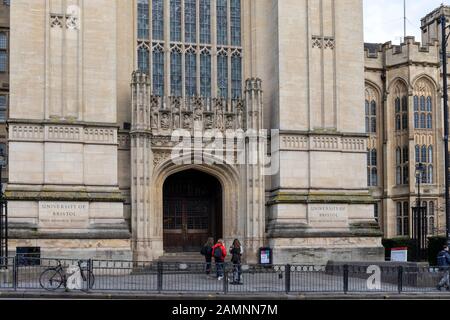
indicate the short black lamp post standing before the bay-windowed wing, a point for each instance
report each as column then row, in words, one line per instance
column 419, row 218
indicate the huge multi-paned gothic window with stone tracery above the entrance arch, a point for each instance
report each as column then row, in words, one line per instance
column 189, row 70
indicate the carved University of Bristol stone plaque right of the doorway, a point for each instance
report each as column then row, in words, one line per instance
column 328, row 215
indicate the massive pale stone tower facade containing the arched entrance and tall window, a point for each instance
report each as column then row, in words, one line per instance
column 93, row 170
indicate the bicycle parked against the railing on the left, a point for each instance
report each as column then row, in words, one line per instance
column 53, row 278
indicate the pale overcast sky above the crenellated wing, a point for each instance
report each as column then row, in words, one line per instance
column 383, row 19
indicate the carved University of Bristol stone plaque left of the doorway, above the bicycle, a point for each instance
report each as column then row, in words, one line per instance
column 63, row 215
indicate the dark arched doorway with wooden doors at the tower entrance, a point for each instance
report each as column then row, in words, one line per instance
column 192, row 210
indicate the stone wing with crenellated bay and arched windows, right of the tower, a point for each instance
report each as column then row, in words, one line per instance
column 404, row 120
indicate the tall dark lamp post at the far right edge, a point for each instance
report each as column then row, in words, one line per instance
column 446, row 124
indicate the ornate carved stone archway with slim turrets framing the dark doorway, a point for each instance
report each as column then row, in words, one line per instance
column 154, row 120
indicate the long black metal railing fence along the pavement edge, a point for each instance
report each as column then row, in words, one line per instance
column 25, row 273
